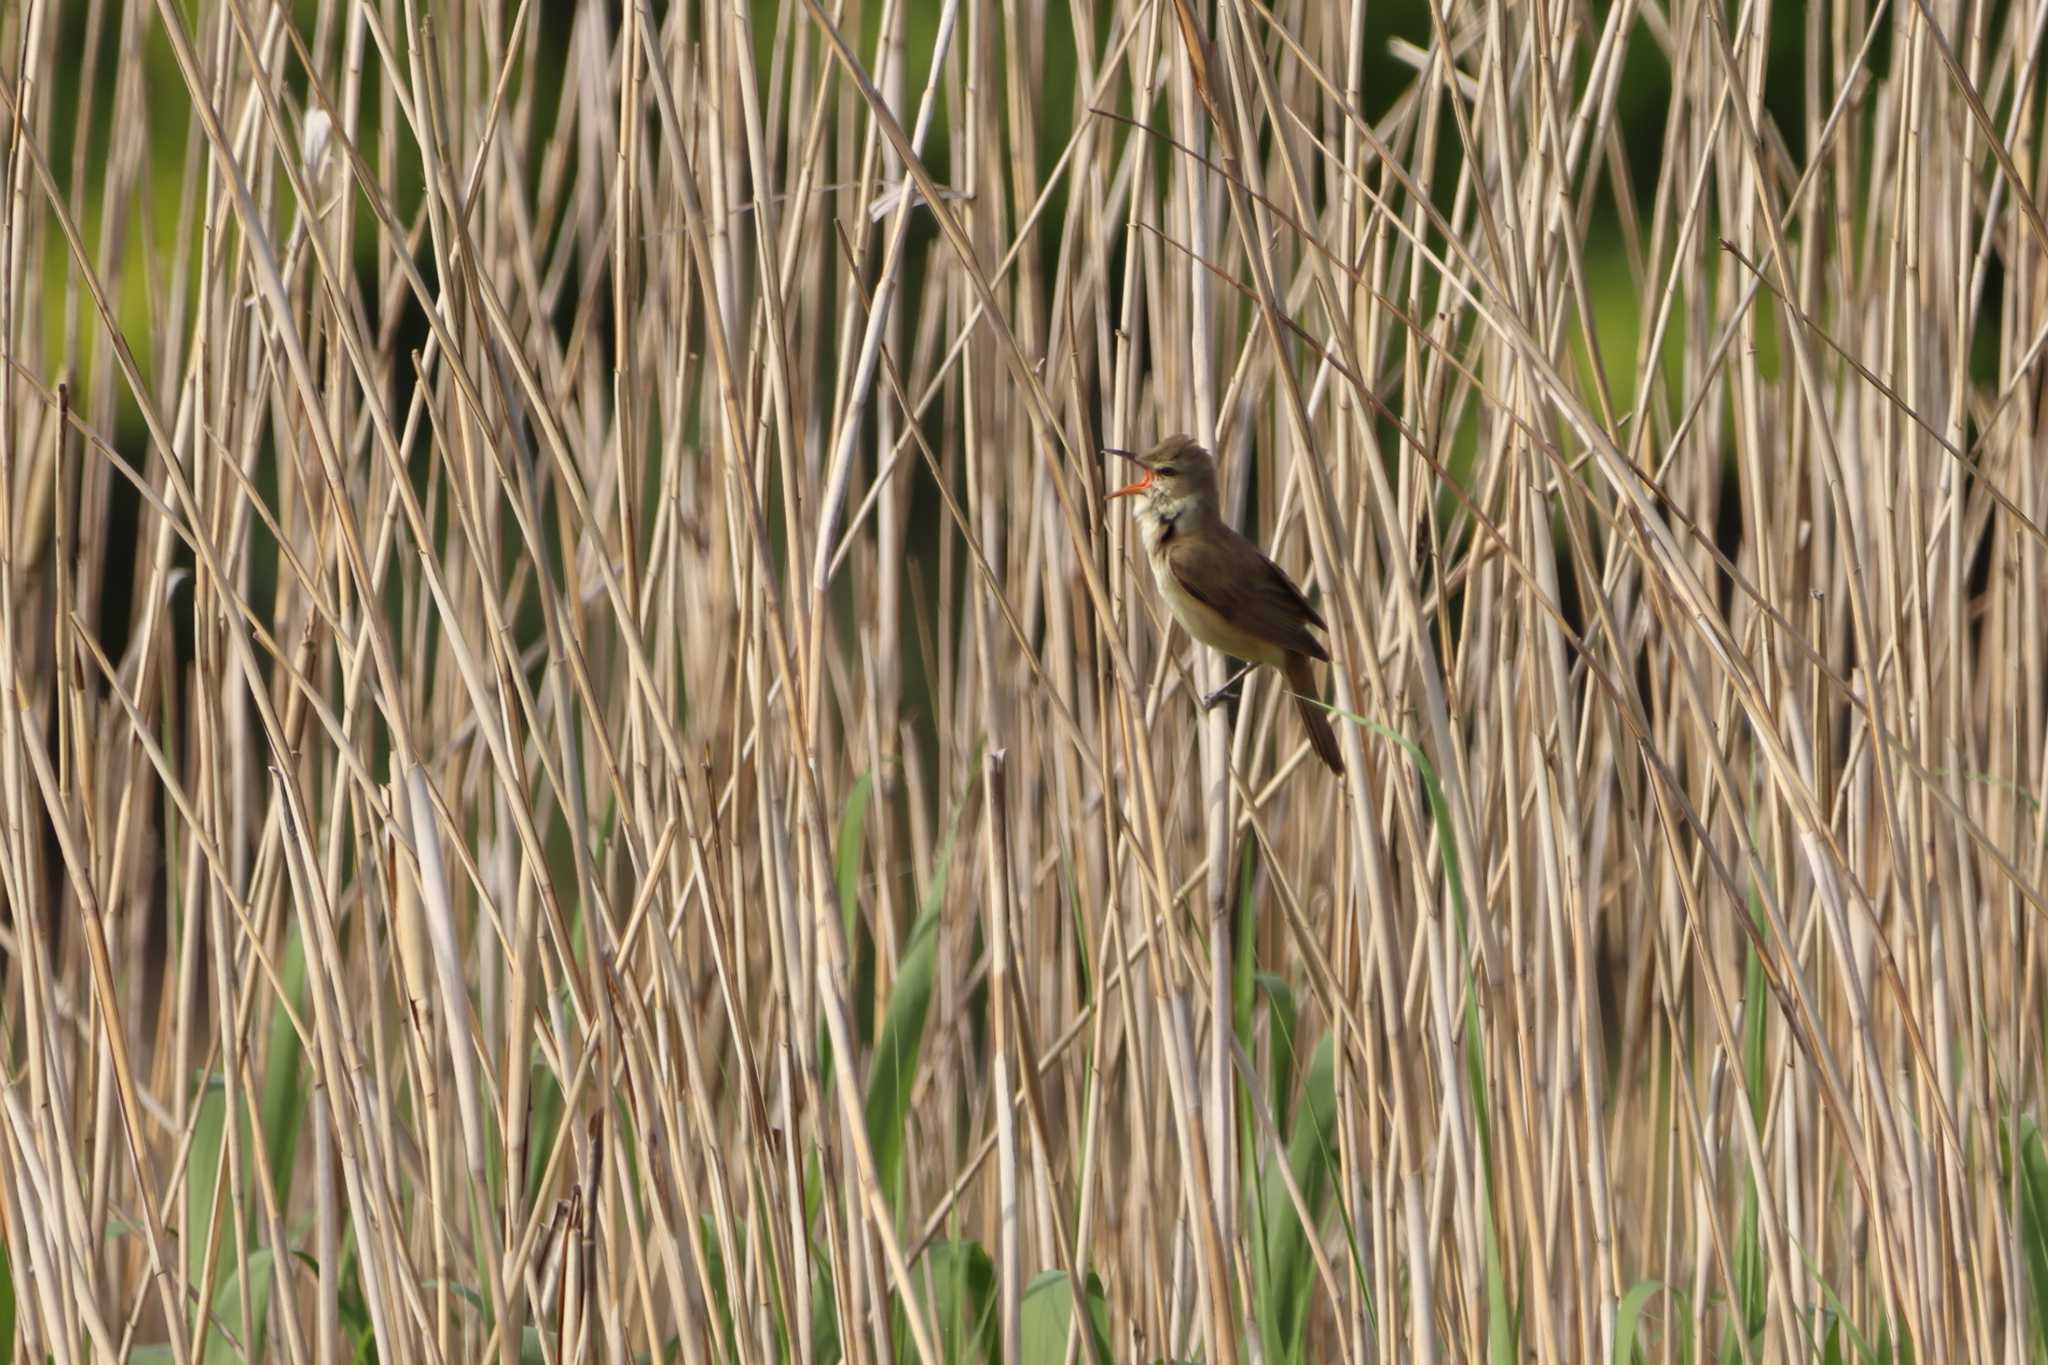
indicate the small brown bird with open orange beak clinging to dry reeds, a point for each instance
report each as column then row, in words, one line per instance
column 1222, row 588
